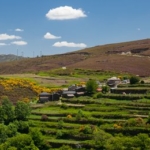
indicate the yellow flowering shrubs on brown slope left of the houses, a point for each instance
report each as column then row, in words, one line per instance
column 17, row 88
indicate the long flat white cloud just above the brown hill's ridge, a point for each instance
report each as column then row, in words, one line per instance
column 67, row 44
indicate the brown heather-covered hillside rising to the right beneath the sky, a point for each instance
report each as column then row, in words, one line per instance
column 132, row 57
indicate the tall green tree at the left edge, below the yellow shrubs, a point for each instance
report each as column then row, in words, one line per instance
column 7, row 111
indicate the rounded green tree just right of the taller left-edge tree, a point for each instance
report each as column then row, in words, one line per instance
column 22, row 110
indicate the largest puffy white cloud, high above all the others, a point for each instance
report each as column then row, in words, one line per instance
column 64, row 13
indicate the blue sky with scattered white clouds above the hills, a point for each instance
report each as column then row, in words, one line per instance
column 32, row 28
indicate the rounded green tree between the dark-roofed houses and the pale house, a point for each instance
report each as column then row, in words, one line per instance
column 91, row 86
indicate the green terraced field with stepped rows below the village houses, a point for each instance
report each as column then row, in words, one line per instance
column 86, row 122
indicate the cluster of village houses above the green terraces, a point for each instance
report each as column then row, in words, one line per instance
column 80, row 90
